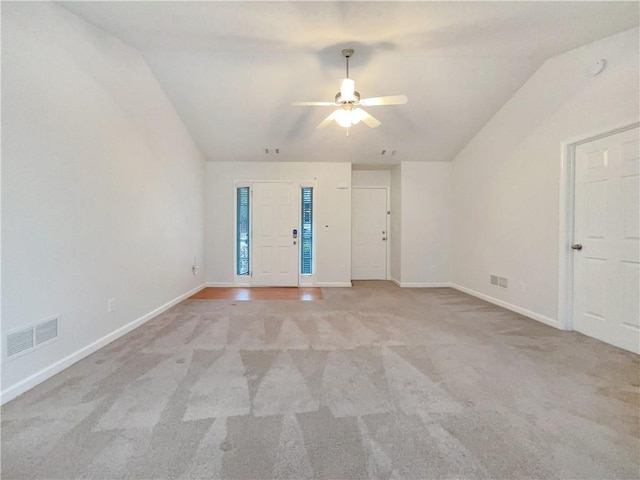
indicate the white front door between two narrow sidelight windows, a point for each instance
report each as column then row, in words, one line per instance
column 275, row 251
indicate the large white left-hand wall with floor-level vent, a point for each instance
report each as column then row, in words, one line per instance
column 102, row 188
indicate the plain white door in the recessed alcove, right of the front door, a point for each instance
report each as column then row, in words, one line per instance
column 369, row 234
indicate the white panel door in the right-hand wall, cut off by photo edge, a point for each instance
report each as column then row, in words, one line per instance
column 606, row 268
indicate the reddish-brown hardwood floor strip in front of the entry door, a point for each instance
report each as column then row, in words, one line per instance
column 259, row 293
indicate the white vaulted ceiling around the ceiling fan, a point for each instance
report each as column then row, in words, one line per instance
column 232, row 68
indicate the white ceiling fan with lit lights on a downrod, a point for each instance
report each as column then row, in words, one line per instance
column 349, row 102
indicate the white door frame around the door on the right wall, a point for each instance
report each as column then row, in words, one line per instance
column 567, row 206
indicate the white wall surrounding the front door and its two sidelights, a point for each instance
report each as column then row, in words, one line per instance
column 332, row 211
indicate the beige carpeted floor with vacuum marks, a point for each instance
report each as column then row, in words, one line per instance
column 372, row 382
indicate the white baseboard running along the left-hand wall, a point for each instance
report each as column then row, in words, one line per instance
column 47, row 372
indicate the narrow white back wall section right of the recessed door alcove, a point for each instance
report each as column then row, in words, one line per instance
column 426, row 224
